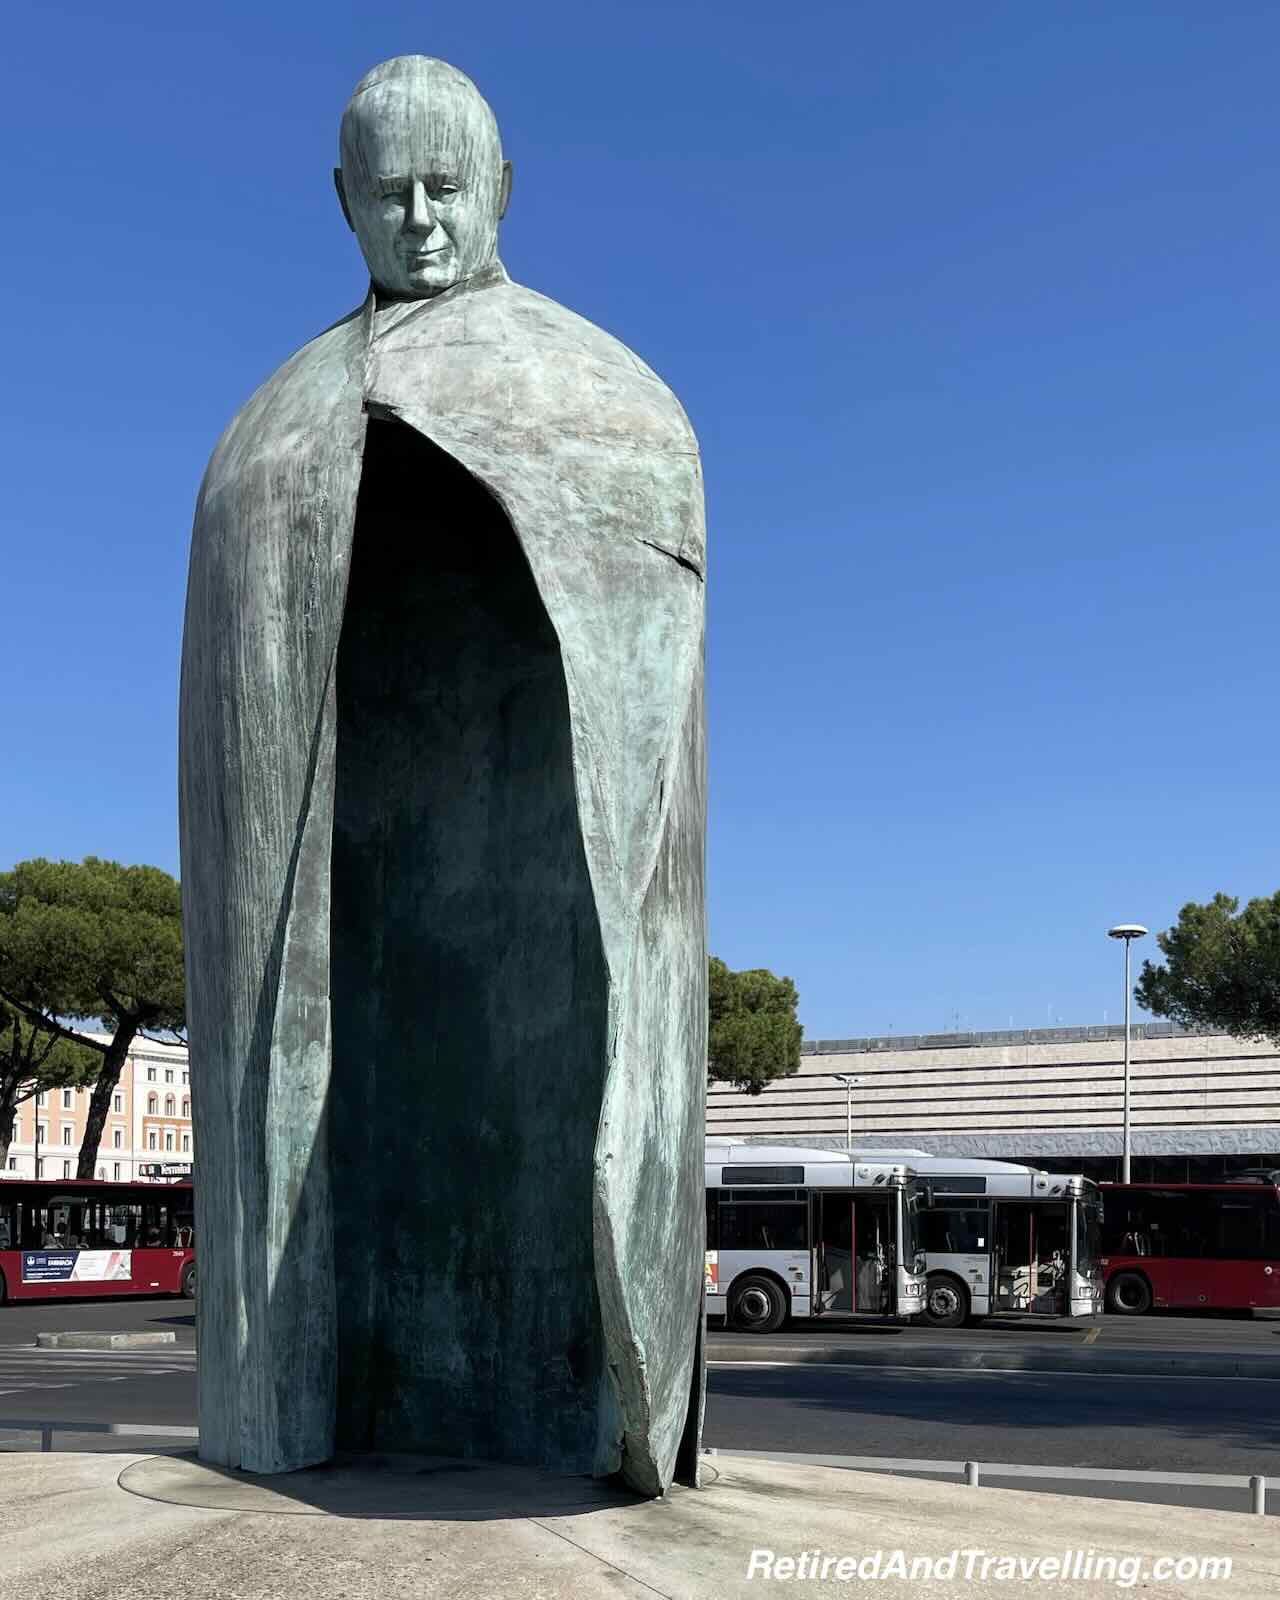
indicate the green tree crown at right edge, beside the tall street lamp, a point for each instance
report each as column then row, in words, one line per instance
column 1222, row 969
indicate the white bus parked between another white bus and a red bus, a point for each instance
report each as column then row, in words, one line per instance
column 1006, row 1241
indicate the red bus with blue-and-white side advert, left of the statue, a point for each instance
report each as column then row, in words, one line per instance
column 68, row 1238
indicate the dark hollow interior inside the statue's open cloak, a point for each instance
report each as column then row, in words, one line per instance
column 468, row 991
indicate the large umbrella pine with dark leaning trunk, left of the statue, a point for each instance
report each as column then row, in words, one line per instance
column 92, row 943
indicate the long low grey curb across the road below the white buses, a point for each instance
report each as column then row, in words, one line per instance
column 1129, row 1364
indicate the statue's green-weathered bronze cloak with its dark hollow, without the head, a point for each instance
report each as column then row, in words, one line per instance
column 479, row 1233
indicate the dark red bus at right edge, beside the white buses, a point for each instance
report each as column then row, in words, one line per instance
column 1193, row 1247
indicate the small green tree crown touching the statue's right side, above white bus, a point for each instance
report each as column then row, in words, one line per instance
column 754, row 1036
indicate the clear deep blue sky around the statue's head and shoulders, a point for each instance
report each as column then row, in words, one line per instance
column 975, row 311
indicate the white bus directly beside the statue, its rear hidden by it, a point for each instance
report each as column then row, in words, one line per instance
column 810, row 1234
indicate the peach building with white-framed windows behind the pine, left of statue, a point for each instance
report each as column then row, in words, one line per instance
column 148, row 1124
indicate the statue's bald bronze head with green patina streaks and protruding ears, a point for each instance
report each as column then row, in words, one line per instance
column 423, row 182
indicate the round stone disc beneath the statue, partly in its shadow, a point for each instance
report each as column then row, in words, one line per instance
column 375, row 1486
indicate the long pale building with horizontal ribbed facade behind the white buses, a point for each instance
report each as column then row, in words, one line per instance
column 1202, row 1105
